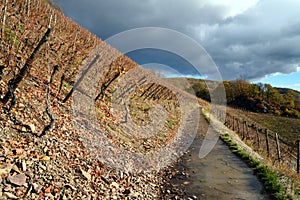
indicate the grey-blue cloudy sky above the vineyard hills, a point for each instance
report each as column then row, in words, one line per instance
column 257, row 40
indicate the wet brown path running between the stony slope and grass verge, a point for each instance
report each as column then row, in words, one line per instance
column 220, row 175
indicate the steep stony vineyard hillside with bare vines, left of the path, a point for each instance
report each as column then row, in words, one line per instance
column 48, row 68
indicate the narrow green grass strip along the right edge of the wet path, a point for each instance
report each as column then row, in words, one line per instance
column 268, row 178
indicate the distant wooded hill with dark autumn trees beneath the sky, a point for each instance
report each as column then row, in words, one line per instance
column 262, row 98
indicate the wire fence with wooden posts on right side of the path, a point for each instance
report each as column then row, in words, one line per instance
column 266, row 142
